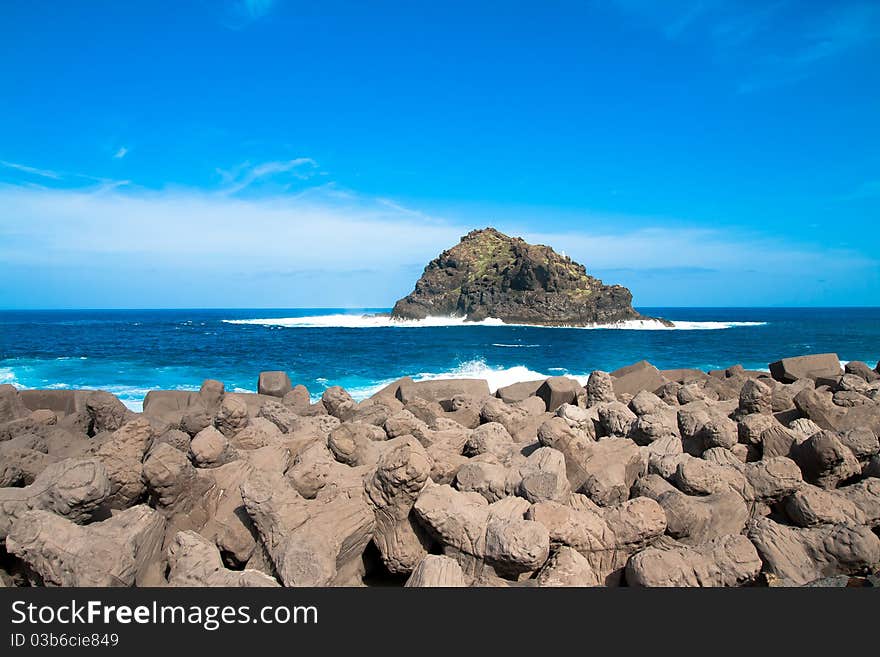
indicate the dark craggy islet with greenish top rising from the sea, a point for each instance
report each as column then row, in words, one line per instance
column 489, row 274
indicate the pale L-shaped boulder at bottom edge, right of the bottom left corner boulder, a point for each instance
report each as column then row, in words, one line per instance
column 195, row 561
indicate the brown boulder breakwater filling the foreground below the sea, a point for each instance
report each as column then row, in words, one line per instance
column 643, row 477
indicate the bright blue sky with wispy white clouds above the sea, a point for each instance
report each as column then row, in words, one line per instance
column 279, row 153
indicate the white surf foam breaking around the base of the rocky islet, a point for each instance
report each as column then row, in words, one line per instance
column 384, row 321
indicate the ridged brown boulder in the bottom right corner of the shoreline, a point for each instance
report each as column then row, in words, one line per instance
column 804, row 555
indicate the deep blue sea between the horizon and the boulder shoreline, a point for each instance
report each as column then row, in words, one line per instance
column 130, row 352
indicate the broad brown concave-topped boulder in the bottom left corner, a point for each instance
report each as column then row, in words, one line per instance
column 123, row 550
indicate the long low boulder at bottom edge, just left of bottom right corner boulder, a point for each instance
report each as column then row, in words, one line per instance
column 722, row 561
